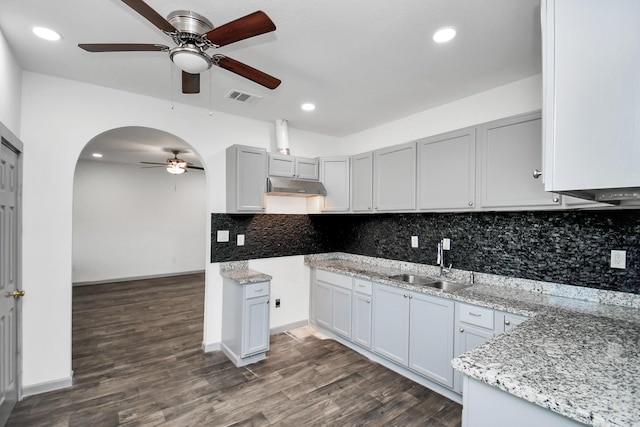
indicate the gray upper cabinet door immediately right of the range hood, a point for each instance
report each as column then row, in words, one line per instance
column 334, row 174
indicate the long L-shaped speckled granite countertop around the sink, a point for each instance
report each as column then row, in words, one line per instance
column 578, row 358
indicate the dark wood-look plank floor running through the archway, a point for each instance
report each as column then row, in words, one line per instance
column 138, row 361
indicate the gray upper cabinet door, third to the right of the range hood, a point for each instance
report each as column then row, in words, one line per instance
column 394, row 178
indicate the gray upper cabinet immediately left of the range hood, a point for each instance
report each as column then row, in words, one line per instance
column 246, row 178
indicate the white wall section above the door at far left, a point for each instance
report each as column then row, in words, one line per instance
column 10, row 88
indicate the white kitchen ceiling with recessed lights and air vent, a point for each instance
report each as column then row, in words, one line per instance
column 363, row 63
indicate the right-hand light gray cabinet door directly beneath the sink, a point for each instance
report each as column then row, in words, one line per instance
column 431, row 337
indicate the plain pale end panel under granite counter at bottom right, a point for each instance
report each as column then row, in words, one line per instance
column 484, row 405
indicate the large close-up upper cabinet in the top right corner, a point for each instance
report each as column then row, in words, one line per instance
column 591, row 94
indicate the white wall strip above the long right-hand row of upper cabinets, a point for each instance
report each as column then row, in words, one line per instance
column 519, row 97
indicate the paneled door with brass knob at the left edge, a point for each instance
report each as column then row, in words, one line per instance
column 8, row 281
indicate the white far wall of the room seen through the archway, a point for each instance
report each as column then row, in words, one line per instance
column 132, row 222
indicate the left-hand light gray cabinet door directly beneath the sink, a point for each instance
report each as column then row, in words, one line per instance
column 391, row 323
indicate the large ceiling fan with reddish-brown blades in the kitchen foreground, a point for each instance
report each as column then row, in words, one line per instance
column 194, row 34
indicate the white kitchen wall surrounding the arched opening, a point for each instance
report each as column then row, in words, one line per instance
column 58, row 118
